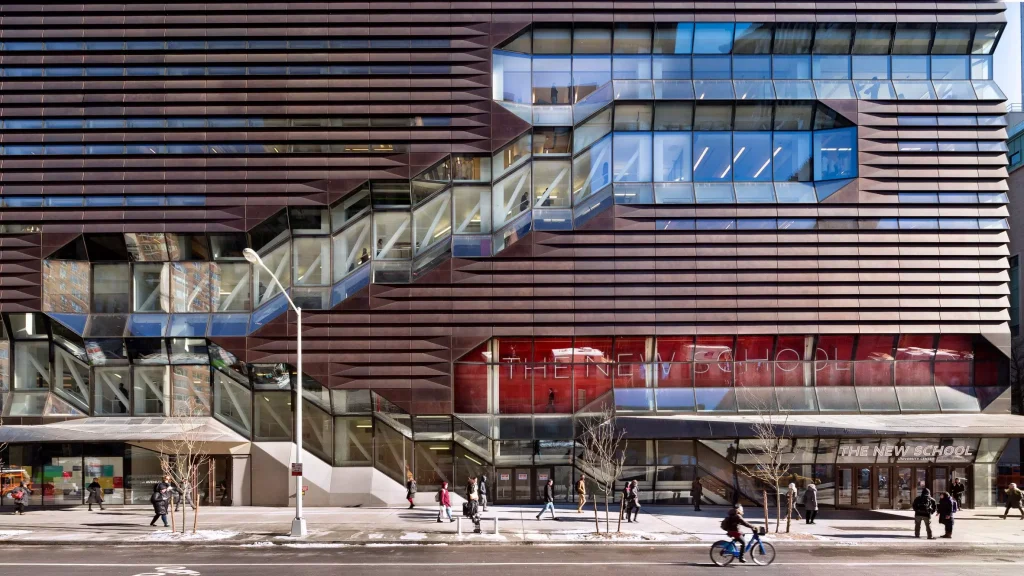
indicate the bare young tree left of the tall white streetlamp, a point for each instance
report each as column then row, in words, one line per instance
column 184, row 456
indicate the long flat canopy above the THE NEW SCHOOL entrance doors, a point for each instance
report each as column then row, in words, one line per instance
column 814, row 426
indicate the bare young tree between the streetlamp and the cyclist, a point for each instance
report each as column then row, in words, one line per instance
column 604, row 457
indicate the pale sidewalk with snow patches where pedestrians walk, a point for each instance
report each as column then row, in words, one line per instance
column 330, row 527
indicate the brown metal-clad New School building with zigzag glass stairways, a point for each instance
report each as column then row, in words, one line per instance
column 497, row 230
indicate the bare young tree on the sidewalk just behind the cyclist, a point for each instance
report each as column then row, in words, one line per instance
column 770, row 457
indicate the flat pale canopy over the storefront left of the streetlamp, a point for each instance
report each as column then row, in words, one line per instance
column 121, row 430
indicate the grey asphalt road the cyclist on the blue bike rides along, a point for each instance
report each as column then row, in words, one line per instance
column 490, row 561
